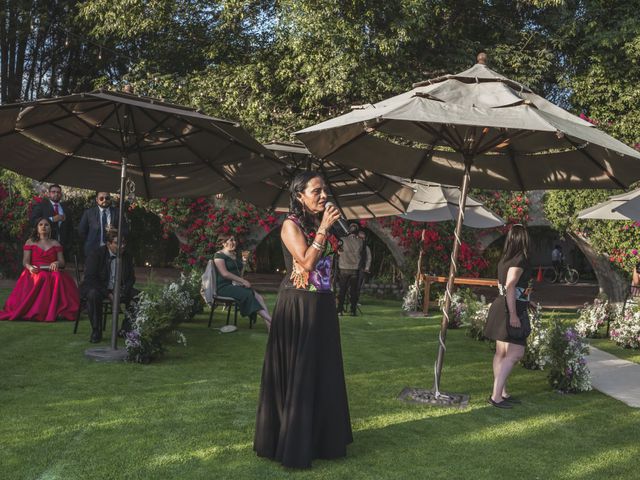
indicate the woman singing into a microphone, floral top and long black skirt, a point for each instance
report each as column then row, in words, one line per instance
column 303, row 412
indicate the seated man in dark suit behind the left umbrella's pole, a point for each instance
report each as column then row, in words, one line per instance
column 99, row 282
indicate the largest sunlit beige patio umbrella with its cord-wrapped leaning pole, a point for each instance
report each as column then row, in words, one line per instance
column 476, row 125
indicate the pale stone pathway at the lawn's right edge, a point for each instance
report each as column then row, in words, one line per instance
column 615, row 377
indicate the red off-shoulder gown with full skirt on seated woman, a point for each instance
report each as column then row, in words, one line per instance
column 43, row 296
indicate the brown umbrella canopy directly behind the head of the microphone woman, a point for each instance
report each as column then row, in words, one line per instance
column 356, row 192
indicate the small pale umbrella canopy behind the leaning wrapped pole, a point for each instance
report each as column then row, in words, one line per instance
column 438, row 203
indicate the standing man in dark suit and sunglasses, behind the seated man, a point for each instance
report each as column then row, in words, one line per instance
column 97, row 220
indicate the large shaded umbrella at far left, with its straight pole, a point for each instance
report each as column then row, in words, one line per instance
column 93, row 140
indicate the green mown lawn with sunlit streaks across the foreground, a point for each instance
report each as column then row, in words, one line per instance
column 192, row 414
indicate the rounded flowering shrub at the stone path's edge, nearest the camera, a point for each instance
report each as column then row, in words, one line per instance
column 568, row 371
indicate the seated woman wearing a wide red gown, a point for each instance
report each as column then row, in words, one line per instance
column 43, row 292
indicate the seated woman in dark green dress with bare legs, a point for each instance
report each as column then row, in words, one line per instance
column 230, row 283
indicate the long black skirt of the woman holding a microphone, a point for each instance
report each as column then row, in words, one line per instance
column 303, row 412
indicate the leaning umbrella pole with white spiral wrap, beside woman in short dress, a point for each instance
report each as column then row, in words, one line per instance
column 453, row 269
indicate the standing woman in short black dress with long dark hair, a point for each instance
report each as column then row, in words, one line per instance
column 508, row 320
